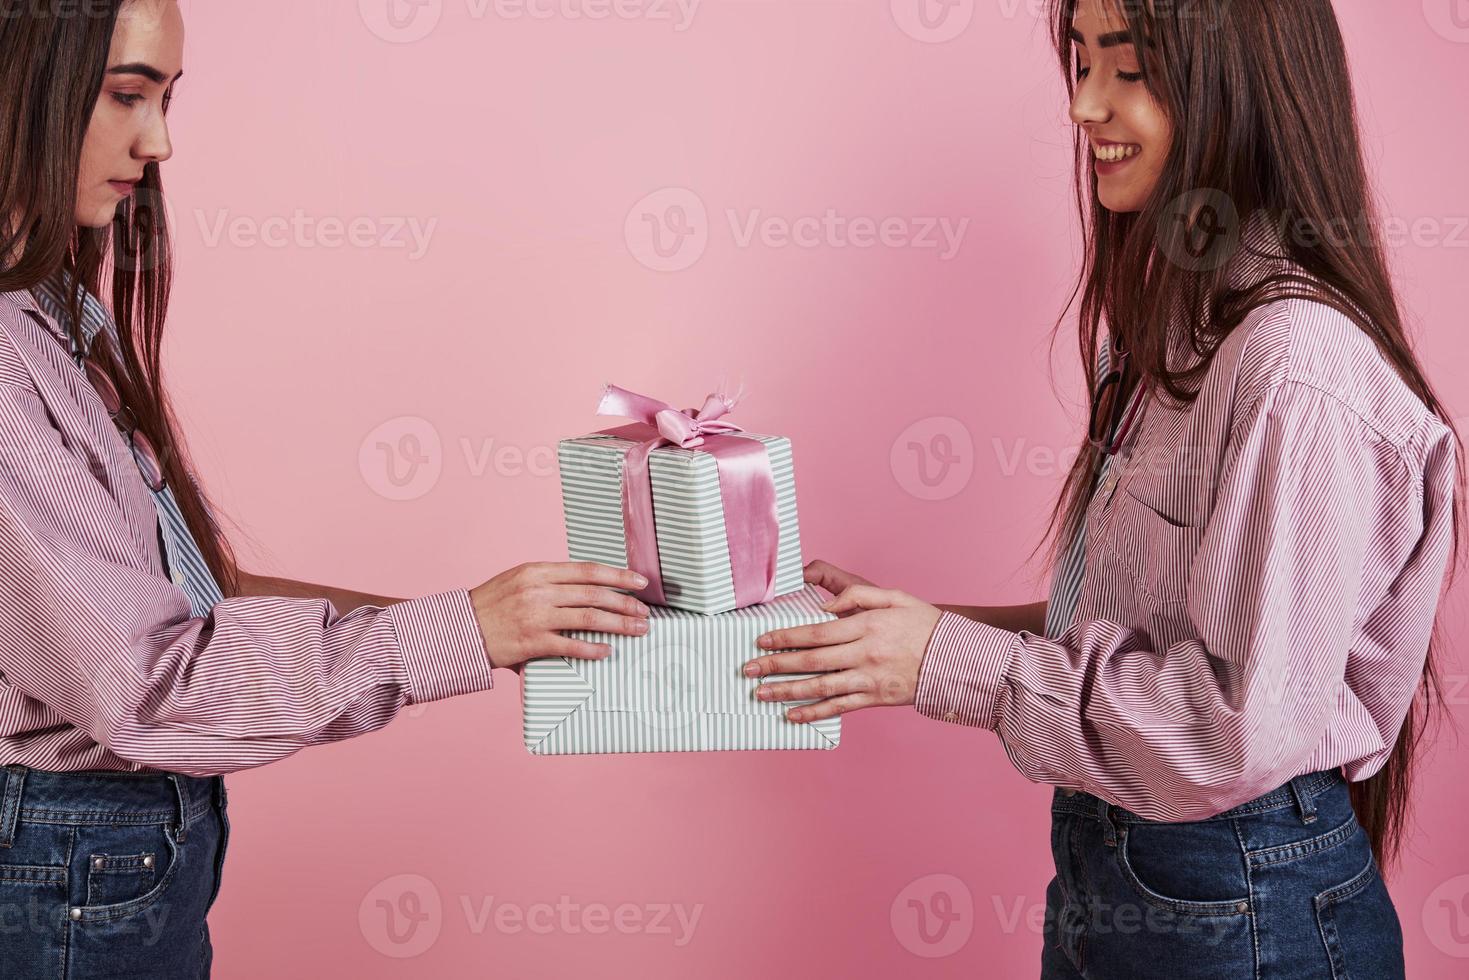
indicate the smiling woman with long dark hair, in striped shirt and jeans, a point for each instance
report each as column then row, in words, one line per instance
column 1235, row 669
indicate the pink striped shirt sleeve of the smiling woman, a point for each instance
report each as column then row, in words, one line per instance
column 1317, row 524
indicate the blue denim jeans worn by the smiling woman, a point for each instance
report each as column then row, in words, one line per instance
column 1280, row 887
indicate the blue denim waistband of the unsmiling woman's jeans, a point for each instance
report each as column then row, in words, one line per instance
column 93, row 797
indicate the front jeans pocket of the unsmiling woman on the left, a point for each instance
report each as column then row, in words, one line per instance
column 129, row 871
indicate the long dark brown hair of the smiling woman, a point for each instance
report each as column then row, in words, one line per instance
column 1264, row 124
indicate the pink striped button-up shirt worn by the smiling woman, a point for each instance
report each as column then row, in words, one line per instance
column 1263, row 574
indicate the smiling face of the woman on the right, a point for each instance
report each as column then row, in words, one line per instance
column 1129, row 133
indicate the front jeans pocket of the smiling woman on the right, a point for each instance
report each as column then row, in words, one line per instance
column 1188, row 869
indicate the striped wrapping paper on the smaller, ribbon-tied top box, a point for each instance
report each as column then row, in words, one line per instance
column 694, row 556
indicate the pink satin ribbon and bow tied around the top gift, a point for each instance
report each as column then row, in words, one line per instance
column 747, row 489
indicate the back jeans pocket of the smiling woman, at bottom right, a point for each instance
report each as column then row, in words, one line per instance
column 1361, row 929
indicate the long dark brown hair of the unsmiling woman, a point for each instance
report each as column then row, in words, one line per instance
column 52, row 64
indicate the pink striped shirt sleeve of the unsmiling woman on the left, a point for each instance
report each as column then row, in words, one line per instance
column 111, row 646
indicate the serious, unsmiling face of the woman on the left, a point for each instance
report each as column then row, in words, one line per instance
column 129, row 129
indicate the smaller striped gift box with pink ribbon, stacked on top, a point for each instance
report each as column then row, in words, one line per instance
column 706, row 511
